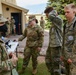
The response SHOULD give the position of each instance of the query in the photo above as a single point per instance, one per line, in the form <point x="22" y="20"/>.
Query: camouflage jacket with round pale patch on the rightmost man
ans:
<point x="70" y="39"/>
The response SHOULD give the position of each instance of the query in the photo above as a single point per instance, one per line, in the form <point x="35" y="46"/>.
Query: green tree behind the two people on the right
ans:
<point x="59" y="5"/>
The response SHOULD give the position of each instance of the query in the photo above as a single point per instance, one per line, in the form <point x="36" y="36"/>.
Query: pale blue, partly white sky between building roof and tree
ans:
<point x="33" y="6"/>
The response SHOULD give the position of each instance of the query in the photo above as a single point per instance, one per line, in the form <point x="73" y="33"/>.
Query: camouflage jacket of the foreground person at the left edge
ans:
<point x="3" y="58"/>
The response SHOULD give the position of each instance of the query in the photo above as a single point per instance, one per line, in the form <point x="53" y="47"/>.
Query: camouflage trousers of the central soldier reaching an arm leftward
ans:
<point x="30" y="52"/>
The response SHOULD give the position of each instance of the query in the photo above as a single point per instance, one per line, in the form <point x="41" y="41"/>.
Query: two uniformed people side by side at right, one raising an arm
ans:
<point x="62" y="44"/>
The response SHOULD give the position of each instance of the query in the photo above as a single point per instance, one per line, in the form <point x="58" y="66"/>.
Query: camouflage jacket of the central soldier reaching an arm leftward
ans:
<point x="34" y="36"/>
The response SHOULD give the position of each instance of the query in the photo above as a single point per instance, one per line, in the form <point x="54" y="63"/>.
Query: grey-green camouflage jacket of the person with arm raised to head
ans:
<point x="55" y="38"/>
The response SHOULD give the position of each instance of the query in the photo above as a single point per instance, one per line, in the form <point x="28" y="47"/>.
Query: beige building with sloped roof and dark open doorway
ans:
<point x="9" y="8"/>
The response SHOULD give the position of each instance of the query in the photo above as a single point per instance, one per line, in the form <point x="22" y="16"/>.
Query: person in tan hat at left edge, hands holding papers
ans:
<point x="8" y="61"/>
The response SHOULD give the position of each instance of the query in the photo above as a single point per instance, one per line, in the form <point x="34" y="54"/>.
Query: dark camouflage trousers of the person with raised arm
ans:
<point x="53" y="60"/>
